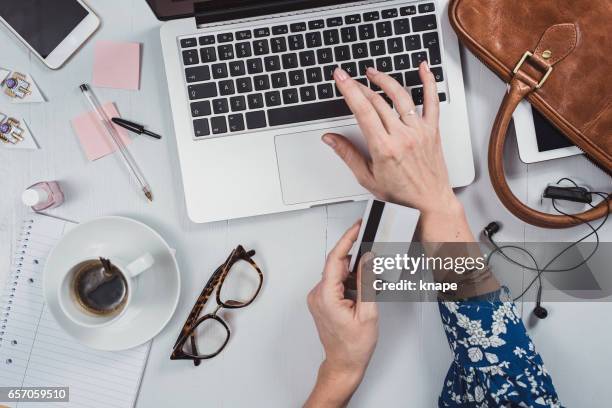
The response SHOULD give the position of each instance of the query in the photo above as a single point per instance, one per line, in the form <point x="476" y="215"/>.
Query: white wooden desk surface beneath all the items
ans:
<point x="274" y="352"/>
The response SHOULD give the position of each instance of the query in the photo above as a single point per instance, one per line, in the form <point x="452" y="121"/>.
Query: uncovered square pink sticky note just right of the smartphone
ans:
<point x="117" y="65"/>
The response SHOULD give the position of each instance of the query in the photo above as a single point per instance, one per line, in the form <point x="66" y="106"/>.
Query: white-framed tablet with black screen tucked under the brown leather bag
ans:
<point x="538" y="140"/>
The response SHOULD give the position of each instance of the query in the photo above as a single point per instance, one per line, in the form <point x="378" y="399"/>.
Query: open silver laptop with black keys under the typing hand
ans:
<point x="251" y="94"/>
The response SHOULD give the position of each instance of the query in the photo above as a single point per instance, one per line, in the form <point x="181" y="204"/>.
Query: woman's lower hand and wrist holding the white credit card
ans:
<point x="348" y="329"/>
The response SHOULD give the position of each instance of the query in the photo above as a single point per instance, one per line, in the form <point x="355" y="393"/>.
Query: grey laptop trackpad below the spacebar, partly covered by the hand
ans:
<point x="311" y="171"/>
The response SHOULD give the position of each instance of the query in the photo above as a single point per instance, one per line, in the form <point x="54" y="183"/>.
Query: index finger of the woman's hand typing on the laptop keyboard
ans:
<point x="364" y="112"/>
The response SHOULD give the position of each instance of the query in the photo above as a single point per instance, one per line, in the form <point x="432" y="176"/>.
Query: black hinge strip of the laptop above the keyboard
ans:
<point x="215" y="11"/>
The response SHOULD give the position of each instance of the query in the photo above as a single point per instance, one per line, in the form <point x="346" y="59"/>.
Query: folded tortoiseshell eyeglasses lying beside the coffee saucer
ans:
<point x="237" y="283"/>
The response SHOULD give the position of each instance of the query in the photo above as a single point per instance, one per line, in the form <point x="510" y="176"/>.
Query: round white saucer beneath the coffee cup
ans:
<point x="157" y="290"/>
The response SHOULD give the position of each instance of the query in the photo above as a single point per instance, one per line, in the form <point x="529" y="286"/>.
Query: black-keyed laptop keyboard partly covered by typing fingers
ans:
<point x="279" y="75"/>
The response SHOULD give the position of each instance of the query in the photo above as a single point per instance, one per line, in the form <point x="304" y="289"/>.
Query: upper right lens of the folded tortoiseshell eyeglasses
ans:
<point x="240" y="285"/>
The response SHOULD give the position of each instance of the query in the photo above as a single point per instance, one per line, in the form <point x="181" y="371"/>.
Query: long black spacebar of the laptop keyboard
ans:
<point x="308" y="112"/>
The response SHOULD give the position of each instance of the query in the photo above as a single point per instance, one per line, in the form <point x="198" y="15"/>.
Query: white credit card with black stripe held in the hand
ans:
<point x="385" y="222"/>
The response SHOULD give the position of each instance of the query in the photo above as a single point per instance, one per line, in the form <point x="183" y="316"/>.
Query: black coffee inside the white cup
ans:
<point x="99" y="291"/>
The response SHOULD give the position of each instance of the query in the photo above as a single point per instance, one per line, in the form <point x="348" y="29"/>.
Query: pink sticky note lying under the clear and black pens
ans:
<point x="93" y="137"/>
